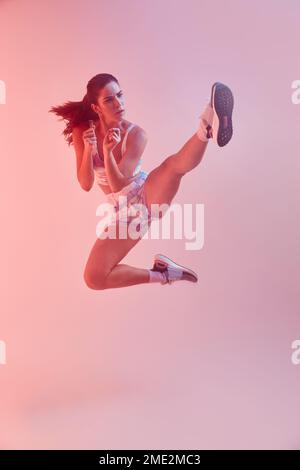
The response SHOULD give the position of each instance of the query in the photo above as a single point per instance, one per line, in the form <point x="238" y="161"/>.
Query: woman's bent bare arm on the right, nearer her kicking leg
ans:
<point x="119" y="175"/>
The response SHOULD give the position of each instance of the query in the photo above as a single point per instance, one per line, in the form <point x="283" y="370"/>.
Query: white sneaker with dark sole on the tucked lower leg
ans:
<point x="173" y="271"/>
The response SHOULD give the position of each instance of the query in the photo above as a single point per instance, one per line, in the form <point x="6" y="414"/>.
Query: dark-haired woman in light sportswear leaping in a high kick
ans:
<point x="109" y="148"/>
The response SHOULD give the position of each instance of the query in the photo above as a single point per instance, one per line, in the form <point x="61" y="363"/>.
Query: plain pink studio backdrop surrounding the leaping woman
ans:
<point x="150" y="366"/>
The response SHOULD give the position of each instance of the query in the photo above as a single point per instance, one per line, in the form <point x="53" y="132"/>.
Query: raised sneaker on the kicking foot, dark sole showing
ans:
<point x="222" y="102"/>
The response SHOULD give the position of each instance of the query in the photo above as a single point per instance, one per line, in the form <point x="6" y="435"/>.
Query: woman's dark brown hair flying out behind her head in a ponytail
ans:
<point x="77" y="112"/>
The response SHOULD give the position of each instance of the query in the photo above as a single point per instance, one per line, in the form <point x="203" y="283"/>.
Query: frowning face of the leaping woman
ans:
<point x="110" y="101"/>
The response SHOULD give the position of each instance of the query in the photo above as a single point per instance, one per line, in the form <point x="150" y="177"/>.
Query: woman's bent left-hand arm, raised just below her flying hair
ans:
<point x="84" y="159"/>
